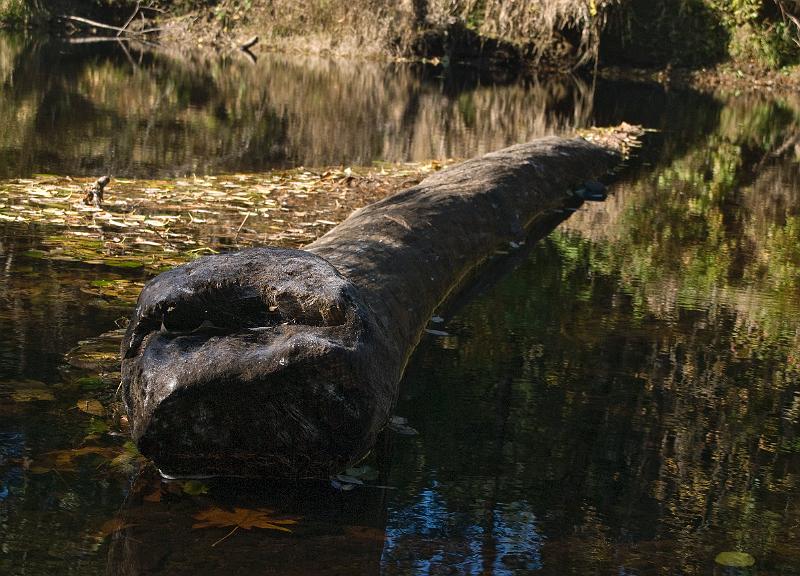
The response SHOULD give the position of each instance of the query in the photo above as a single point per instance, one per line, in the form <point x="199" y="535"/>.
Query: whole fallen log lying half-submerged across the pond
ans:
<point x="282" y="362"/>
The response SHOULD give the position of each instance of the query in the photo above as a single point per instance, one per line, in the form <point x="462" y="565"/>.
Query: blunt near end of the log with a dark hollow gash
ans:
<point x="261" y="362"/>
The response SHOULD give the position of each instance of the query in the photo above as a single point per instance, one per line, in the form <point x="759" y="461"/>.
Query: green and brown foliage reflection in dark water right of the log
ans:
<point x="634" y="384"/>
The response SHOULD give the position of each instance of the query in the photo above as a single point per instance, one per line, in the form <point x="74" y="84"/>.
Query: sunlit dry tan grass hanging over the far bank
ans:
<point x="378" y="27"/>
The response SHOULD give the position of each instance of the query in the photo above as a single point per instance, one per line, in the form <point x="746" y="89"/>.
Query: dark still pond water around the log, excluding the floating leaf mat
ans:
<point x="622" y="397"/>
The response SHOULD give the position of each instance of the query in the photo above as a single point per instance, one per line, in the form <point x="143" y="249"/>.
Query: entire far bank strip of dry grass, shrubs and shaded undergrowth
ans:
<point x="741" y="44"/>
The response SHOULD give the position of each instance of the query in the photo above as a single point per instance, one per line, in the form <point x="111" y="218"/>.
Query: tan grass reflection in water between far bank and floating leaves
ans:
<point x="77" y="109"/>
